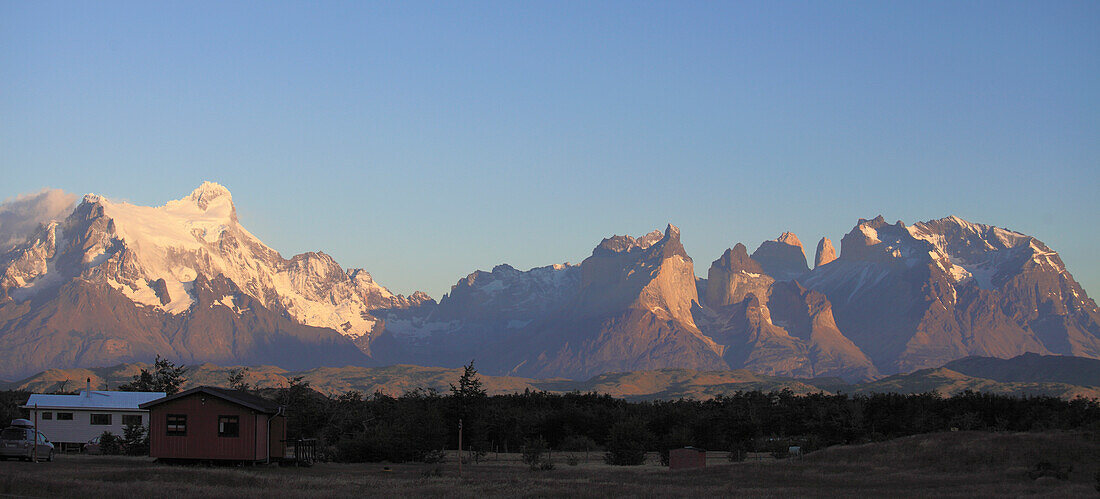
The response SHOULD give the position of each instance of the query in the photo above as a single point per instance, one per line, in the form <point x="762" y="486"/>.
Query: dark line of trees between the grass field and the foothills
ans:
<point x="420" y="425"/>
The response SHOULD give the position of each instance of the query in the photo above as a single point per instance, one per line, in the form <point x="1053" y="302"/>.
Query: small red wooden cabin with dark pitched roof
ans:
<point x="211" y="424"/>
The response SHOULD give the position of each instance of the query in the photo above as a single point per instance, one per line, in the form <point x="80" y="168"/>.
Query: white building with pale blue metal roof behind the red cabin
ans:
<point x="75" y="419"/>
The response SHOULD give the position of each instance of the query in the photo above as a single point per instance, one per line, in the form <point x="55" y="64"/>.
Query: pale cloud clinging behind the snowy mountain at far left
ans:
<point x="23" y="215"/>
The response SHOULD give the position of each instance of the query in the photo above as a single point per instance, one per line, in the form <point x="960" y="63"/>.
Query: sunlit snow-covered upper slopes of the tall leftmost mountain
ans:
<point x="155" y="254"/>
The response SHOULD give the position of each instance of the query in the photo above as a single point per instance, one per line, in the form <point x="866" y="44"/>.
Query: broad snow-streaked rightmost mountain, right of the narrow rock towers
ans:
<point x="916" y="297"/>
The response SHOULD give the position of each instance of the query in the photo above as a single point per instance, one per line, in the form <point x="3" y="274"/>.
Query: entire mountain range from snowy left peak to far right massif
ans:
<point x="115" y="283"/>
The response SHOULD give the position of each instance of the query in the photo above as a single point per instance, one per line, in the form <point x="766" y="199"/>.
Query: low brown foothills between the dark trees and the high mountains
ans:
<point x="666" y="384"/>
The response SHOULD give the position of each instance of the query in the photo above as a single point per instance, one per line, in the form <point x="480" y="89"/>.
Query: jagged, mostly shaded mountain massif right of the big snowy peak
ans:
<point x="898" y="298"/>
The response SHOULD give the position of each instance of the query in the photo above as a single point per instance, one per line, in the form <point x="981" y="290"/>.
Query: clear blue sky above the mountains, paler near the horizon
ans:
<point x="423" y="141"/>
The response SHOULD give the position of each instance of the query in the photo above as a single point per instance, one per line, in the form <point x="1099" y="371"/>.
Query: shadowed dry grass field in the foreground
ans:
<point x="961" y="464"/>
